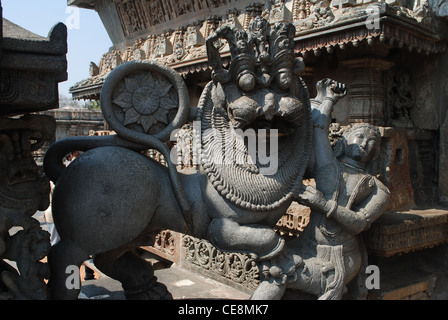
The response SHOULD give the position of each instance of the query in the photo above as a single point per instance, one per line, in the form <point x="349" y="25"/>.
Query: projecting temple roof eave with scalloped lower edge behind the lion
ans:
<point x="395" y="31"/>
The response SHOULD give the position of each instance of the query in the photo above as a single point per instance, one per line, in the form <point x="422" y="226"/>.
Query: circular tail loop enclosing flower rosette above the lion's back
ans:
<point x="144" y="98"/>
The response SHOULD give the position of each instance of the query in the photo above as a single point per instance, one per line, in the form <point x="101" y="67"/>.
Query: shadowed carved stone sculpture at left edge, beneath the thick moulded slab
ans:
<point x="22" y="192"/>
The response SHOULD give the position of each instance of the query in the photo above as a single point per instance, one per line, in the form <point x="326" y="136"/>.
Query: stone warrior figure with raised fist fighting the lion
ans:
<point x="346" y="201"/>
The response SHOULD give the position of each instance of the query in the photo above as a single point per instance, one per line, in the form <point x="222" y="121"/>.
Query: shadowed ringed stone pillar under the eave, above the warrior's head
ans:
<point x="367" y="90"/>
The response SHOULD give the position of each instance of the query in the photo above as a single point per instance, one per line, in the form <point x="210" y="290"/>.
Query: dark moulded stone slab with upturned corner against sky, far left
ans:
<point x="31" y="66"/>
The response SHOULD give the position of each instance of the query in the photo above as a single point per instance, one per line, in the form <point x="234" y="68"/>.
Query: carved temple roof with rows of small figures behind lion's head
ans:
<point x="320" y="25"/>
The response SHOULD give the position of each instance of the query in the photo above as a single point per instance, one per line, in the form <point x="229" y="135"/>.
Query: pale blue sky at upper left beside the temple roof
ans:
<point x="87" y="37"/>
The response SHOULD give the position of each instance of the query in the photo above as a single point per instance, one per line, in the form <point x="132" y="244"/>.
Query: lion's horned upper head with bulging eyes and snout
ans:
<point x="261" y="88"/>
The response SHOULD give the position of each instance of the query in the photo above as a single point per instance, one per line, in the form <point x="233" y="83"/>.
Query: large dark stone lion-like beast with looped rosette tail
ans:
<point x="110" y="199"/>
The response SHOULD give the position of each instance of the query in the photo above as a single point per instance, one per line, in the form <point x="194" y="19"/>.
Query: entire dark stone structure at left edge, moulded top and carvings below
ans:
<point x="31" y="67"/>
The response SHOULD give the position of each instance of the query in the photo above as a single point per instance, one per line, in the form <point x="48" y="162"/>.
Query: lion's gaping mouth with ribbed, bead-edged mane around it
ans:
<point x="249" y="173"/>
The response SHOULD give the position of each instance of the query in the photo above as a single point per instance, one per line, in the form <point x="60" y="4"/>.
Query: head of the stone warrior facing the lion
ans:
<point x="362" y="143"/>
